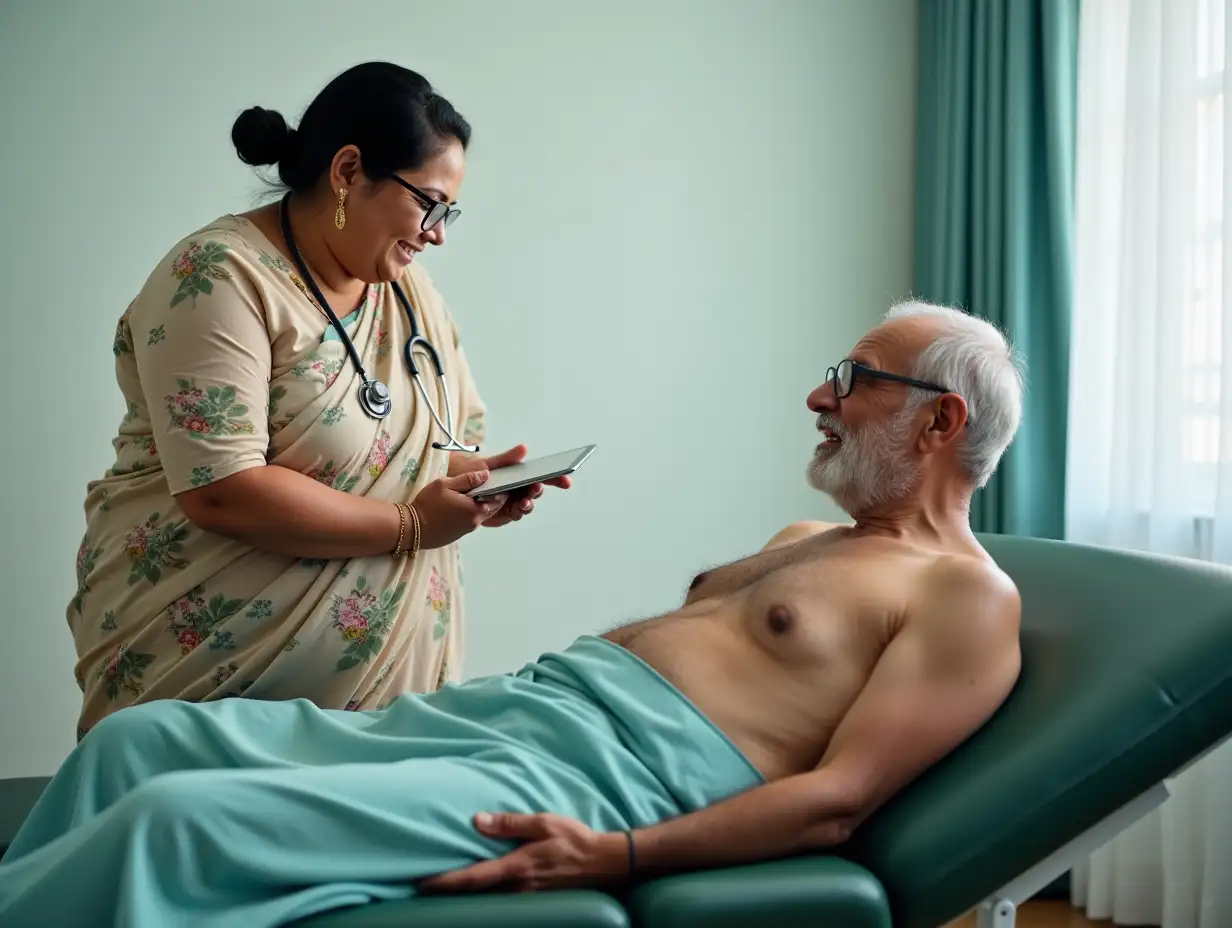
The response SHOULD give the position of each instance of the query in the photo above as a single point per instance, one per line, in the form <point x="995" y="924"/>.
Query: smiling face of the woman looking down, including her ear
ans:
<point x="384" y="230"/>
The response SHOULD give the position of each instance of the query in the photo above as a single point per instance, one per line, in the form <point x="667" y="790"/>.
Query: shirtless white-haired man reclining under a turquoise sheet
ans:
<point x="793" y="694"/>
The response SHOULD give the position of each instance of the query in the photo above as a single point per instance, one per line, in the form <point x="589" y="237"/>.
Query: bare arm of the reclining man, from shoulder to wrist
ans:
<point x="938" y="681"/>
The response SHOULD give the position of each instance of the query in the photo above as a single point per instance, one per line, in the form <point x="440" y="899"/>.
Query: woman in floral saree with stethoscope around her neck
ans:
<point x="283" y="516"/>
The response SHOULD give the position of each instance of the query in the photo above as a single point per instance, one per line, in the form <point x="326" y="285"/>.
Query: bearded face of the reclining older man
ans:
<point x="865" y="458"/>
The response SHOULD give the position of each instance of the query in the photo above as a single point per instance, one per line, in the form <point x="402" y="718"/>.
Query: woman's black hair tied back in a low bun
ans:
<point x="391" y="114"/>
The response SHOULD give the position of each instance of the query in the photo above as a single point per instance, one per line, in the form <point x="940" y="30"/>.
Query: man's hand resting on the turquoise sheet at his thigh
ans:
<point x="557" y="853"/>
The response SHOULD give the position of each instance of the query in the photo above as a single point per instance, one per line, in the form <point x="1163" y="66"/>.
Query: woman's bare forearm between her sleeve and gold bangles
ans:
<point x="275" y="510"/>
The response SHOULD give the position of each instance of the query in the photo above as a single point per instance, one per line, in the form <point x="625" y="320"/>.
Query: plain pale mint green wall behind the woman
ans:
<point x="677" y="215"/>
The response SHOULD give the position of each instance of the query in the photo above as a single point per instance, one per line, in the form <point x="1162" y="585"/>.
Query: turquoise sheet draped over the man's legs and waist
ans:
<point x="242" y="813"/>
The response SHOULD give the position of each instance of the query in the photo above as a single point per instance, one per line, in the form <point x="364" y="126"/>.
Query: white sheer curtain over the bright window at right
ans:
<point x="1151" y="384"/>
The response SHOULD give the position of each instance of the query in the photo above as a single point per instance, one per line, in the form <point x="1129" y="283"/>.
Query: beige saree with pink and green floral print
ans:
<point x="226" y="363"/>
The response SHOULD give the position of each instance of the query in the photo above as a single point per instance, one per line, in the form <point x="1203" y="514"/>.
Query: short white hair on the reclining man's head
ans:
<point x="973" y="358"/>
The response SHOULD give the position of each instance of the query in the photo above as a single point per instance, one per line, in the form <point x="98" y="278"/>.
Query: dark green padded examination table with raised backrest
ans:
<point x="1127" y="680"/>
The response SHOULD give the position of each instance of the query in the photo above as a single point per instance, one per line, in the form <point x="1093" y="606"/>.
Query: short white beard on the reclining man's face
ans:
<point x="870" y="466"/>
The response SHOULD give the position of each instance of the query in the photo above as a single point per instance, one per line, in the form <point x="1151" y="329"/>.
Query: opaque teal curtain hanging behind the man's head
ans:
<point x="995" y="214"/>
